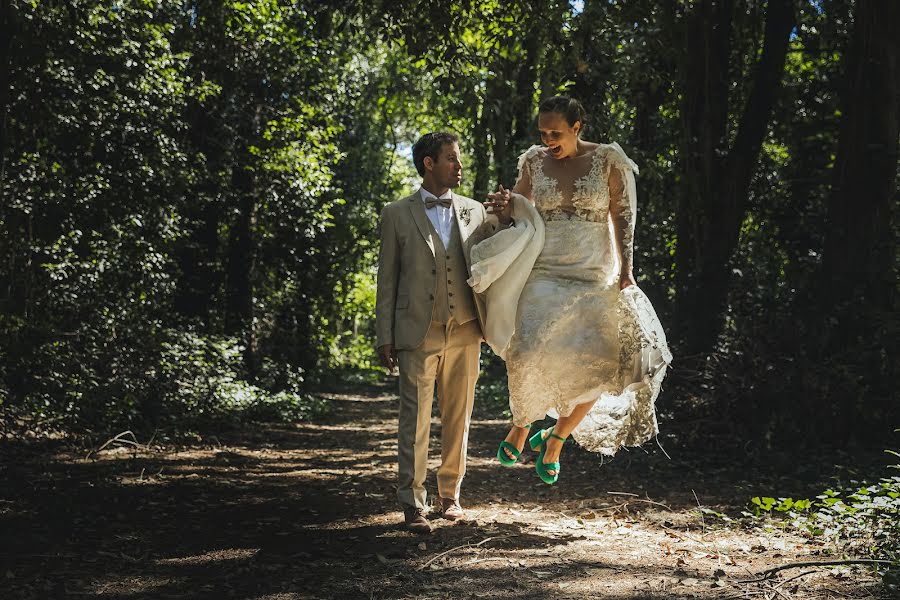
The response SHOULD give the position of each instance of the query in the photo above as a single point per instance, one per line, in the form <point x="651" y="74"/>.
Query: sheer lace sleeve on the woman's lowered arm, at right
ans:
<point x="622" y="204"/>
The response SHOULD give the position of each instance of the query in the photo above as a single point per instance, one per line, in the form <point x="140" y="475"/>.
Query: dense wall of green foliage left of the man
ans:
<point x="141" y="136"/>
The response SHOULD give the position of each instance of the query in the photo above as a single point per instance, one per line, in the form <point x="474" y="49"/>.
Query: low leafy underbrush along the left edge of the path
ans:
<point x="184" y="382"/>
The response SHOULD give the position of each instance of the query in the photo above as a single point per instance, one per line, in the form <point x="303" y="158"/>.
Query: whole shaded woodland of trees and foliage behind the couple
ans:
<point x="191" y="190"/>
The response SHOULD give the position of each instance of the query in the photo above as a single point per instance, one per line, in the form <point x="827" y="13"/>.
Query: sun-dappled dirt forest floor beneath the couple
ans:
<point x="308" y="511"/>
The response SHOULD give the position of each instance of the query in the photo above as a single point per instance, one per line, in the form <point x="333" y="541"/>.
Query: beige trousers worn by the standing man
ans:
<point x="449" y="360"/>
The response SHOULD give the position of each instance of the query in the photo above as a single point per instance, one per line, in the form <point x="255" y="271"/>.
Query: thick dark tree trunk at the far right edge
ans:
<point x="859" y="254"/>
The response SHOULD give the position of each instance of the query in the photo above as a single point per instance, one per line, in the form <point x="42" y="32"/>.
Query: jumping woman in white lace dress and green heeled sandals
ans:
<point x="587" y="346"/>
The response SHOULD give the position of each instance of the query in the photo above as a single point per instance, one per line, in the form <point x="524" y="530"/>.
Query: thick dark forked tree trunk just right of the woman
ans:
<point x="717" y="180"/>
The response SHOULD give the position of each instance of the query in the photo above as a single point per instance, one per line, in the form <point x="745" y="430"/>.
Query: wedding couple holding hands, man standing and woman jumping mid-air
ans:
<point x="543" y="273"/>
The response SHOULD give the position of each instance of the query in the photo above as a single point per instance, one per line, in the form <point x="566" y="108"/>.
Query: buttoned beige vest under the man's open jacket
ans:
<point x="452" y="295"/>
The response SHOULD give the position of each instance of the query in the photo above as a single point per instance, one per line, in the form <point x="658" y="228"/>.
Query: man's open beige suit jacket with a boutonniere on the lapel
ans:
<point x="406" y="267"/>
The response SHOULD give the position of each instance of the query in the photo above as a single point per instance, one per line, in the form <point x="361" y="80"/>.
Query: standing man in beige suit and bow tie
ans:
<point x="427" y="321"/>
